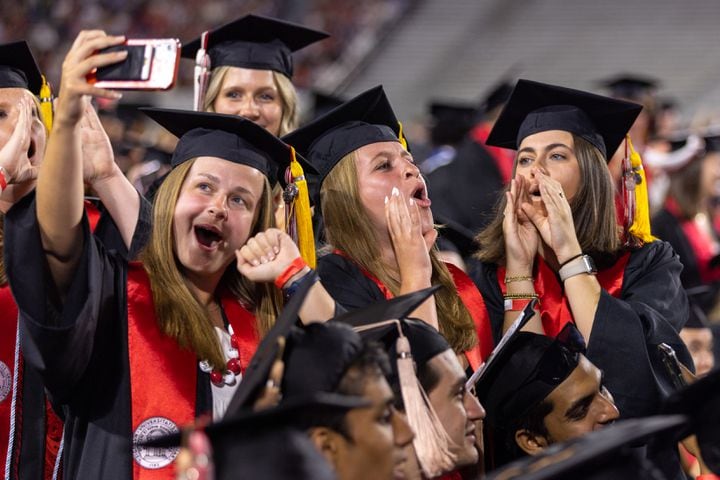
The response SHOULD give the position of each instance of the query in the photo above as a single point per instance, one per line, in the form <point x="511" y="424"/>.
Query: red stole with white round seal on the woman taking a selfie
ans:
<point x="163" y="376"/>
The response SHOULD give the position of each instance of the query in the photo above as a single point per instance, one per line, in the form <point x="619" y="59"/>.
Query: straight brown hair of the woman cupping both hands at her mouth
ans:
<point x="593" y="209"/>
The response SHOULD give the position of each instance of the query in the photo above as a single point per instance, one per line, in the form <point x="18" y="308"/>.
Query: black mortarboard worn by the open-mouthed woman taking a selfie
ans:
<point x="230" y="137"/>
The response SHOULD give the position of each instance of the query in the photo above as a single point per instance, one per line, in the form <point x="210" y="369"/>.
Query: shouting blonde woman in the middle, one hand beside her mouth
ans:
<point x="377" y="218"/>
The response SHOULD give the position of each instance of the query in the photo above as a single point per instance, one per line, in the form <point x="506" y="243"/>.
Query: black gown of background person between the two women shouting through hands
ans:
<point x="467" y="189"/>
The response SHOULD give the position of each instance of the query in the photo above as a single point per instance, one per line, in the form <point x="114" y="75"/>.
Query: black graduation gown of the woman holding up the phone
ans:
<point x="80" y="350"/>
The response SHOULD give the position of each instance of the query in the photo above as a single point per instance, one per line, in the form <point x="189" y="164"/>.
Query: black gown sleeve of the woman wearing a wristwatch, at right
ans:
<point x="623" y="342"/>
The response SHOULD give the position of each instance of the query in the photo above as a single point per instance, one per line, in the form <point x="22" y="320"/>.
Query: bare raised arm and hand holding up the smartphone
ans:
<point x="60" y="184"/>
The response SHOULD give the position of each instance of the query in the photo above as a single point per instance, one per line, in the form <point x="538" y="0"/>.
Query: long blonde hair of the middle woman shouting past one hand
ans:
<point x="348" y="228"/>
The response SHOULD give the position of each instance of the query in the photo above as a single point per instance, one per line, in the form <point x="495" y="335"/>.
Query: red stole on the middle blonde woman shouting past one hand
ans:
<point x="470" y="297"/>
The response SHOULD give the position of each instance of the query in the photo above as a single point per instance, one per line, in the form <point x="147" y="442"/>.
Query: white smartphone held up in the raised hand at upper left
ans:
<point x="151" y="64"/>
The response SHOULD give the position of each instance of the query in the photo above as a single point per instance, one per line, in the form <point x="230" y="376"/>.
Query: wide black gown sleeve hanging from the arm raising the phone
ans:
<point x="58" y="340"/>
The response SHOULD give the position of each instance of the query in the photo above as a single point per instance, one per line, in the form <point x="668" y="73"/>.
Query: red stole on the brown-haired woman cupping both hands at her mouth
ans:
<point x="554" y="308"/>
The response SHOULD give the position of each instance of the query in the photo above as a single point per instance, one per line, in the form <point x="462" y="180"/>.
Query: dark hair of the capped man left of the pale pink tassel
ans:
<point x="370" y="363"/>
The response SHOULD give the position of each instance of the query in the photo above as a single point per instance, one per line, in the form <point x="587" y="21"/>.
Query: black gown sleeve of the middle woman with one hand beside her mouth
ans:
<point x="346" y="283"/>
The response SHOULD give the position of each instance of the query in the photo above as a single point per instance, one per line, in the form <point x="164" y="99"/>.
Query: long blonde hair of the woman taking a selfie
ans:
<point x="179" y="313"/>
